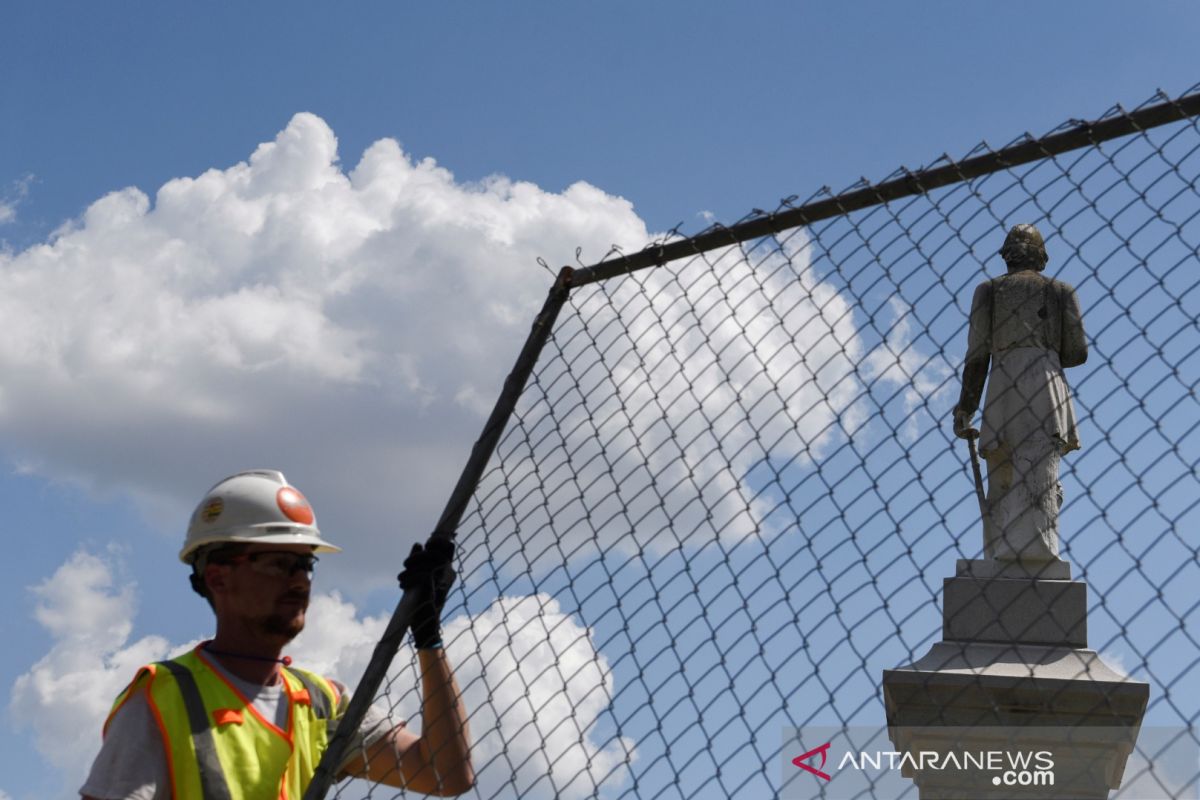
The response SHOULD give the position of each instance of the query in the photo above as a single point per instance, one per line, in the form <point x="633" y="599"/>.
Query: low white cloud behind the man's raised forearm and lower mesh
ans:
<point x="532" y="679"/>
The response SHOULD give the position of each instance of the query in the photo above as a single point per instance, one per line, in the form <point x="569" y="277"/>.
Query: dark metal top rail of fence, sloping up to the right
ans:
<point x="1078" y="135"/>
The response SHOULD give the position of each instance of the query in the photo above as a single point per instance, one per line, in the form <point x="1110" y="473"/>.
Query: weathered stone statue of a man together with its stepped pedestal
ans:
<point x="1013" y="666"/>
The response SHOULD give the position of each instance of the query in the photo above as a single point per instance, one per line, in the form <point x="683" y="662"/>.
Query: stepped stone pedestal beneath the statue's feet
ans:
<point x="1013" y="675"/>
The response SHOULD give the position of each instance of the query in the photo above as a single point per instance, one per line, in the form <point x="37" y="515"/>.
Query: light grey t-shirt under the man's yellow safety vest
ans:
<point x="133" y="765"/>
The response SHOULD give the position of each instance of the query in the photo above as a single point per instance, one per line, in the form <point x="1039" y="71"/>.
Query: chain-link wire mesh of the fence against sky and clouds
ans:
<point x="730" y="492"/>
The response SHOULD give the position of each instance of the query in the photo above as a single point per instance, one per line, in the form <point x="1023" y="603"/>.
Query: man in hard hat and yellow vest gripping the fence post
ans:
<point x="233" y="720"/>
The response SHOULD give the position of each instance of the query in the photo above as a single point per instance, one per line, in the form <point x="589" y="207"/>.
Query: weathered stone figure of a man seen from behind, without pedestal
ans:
<point x="1029" y="328"/>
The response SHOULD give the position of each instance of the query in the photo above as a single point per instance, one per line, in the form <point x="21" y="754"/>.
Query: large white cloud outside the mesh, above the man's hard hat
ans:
<point x="349" y="327"/>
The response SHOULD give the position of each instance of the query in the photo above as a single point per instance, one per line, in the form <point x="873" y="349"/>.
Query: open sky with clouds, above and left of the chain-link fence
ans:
<point x="668" y="113"/>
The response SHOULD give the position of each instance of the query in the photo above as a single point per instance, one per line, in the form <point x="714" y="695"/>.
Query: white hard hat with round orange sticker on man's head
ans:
<point x="256" y="507"/>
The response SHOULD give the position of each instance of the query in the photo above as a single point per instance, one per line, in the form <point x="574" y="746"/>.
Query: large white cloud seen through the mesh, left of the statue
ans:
<point x="685" y="381"/>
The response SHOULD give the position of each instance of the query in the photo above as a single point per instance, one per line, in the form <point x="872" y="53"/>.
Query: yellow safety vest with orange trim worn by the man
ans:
<point x="219" y="747"/>
